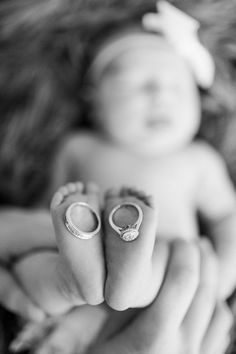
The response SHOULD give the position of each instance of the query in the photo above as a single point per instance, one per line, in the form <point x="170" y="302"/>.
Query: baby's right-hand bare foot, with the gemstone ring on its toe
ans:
<point x="129" y="264"/>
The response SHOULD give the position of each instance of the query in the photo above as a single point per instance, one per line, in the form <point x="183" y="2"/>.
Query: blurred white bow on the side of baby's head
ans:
<point x="181" y="30"/>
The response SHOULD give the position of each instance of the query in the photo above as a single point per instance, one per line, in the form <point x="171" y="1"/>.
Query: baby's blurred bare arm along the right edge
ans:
<point x="217" y="206"/>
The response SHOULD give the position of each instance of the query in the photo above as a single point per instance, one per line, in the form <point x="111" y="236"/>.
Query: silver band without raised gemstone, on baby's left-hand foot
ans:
<point x="73" y="229"/>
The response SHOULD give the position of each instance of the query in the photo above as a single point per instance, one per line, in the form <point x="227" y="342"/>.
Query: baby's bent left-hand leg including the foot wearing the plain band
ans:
<point x="58" y="282"/>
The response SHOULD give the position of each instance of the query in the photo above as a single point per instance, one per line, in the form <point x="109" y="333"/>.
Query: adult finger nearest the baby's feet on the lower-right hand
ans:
<point x="152" y="329"/>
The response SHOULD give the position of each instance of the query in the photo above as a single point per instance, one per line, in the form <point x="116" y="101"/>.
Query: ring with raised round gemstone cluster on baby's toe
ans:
<point x="131" y="231"/>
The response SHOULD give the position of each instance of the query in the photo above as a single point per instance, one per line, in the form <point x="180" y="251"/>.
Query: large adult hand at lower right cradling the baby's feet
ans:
<point x="184" y="318"/>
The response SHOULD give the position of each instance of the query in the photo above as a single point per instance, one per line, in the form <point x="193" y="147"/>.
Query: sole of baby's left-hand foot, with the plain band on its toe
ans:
<point x="82" y="257"/>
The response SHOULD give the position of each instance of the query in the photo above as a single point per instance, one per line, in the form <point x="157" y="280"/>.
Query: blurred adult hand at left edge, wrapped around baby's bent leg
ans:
<point x="21" y="232"/>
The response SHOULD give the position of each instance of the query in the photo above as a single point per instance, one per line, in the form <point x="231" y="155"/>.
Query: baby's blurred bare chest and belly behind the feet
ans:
<point x="172" y="183"/>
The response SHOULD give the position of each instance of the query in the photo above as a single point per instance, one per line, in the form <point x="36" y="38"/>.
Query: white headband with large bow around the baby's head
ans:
<point x="178" y="28"/>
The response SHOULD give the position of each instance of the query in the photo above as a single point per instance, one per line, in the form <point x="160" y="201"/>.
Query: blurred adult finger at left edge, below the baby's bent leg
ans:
<point x="14" y="299"/>
